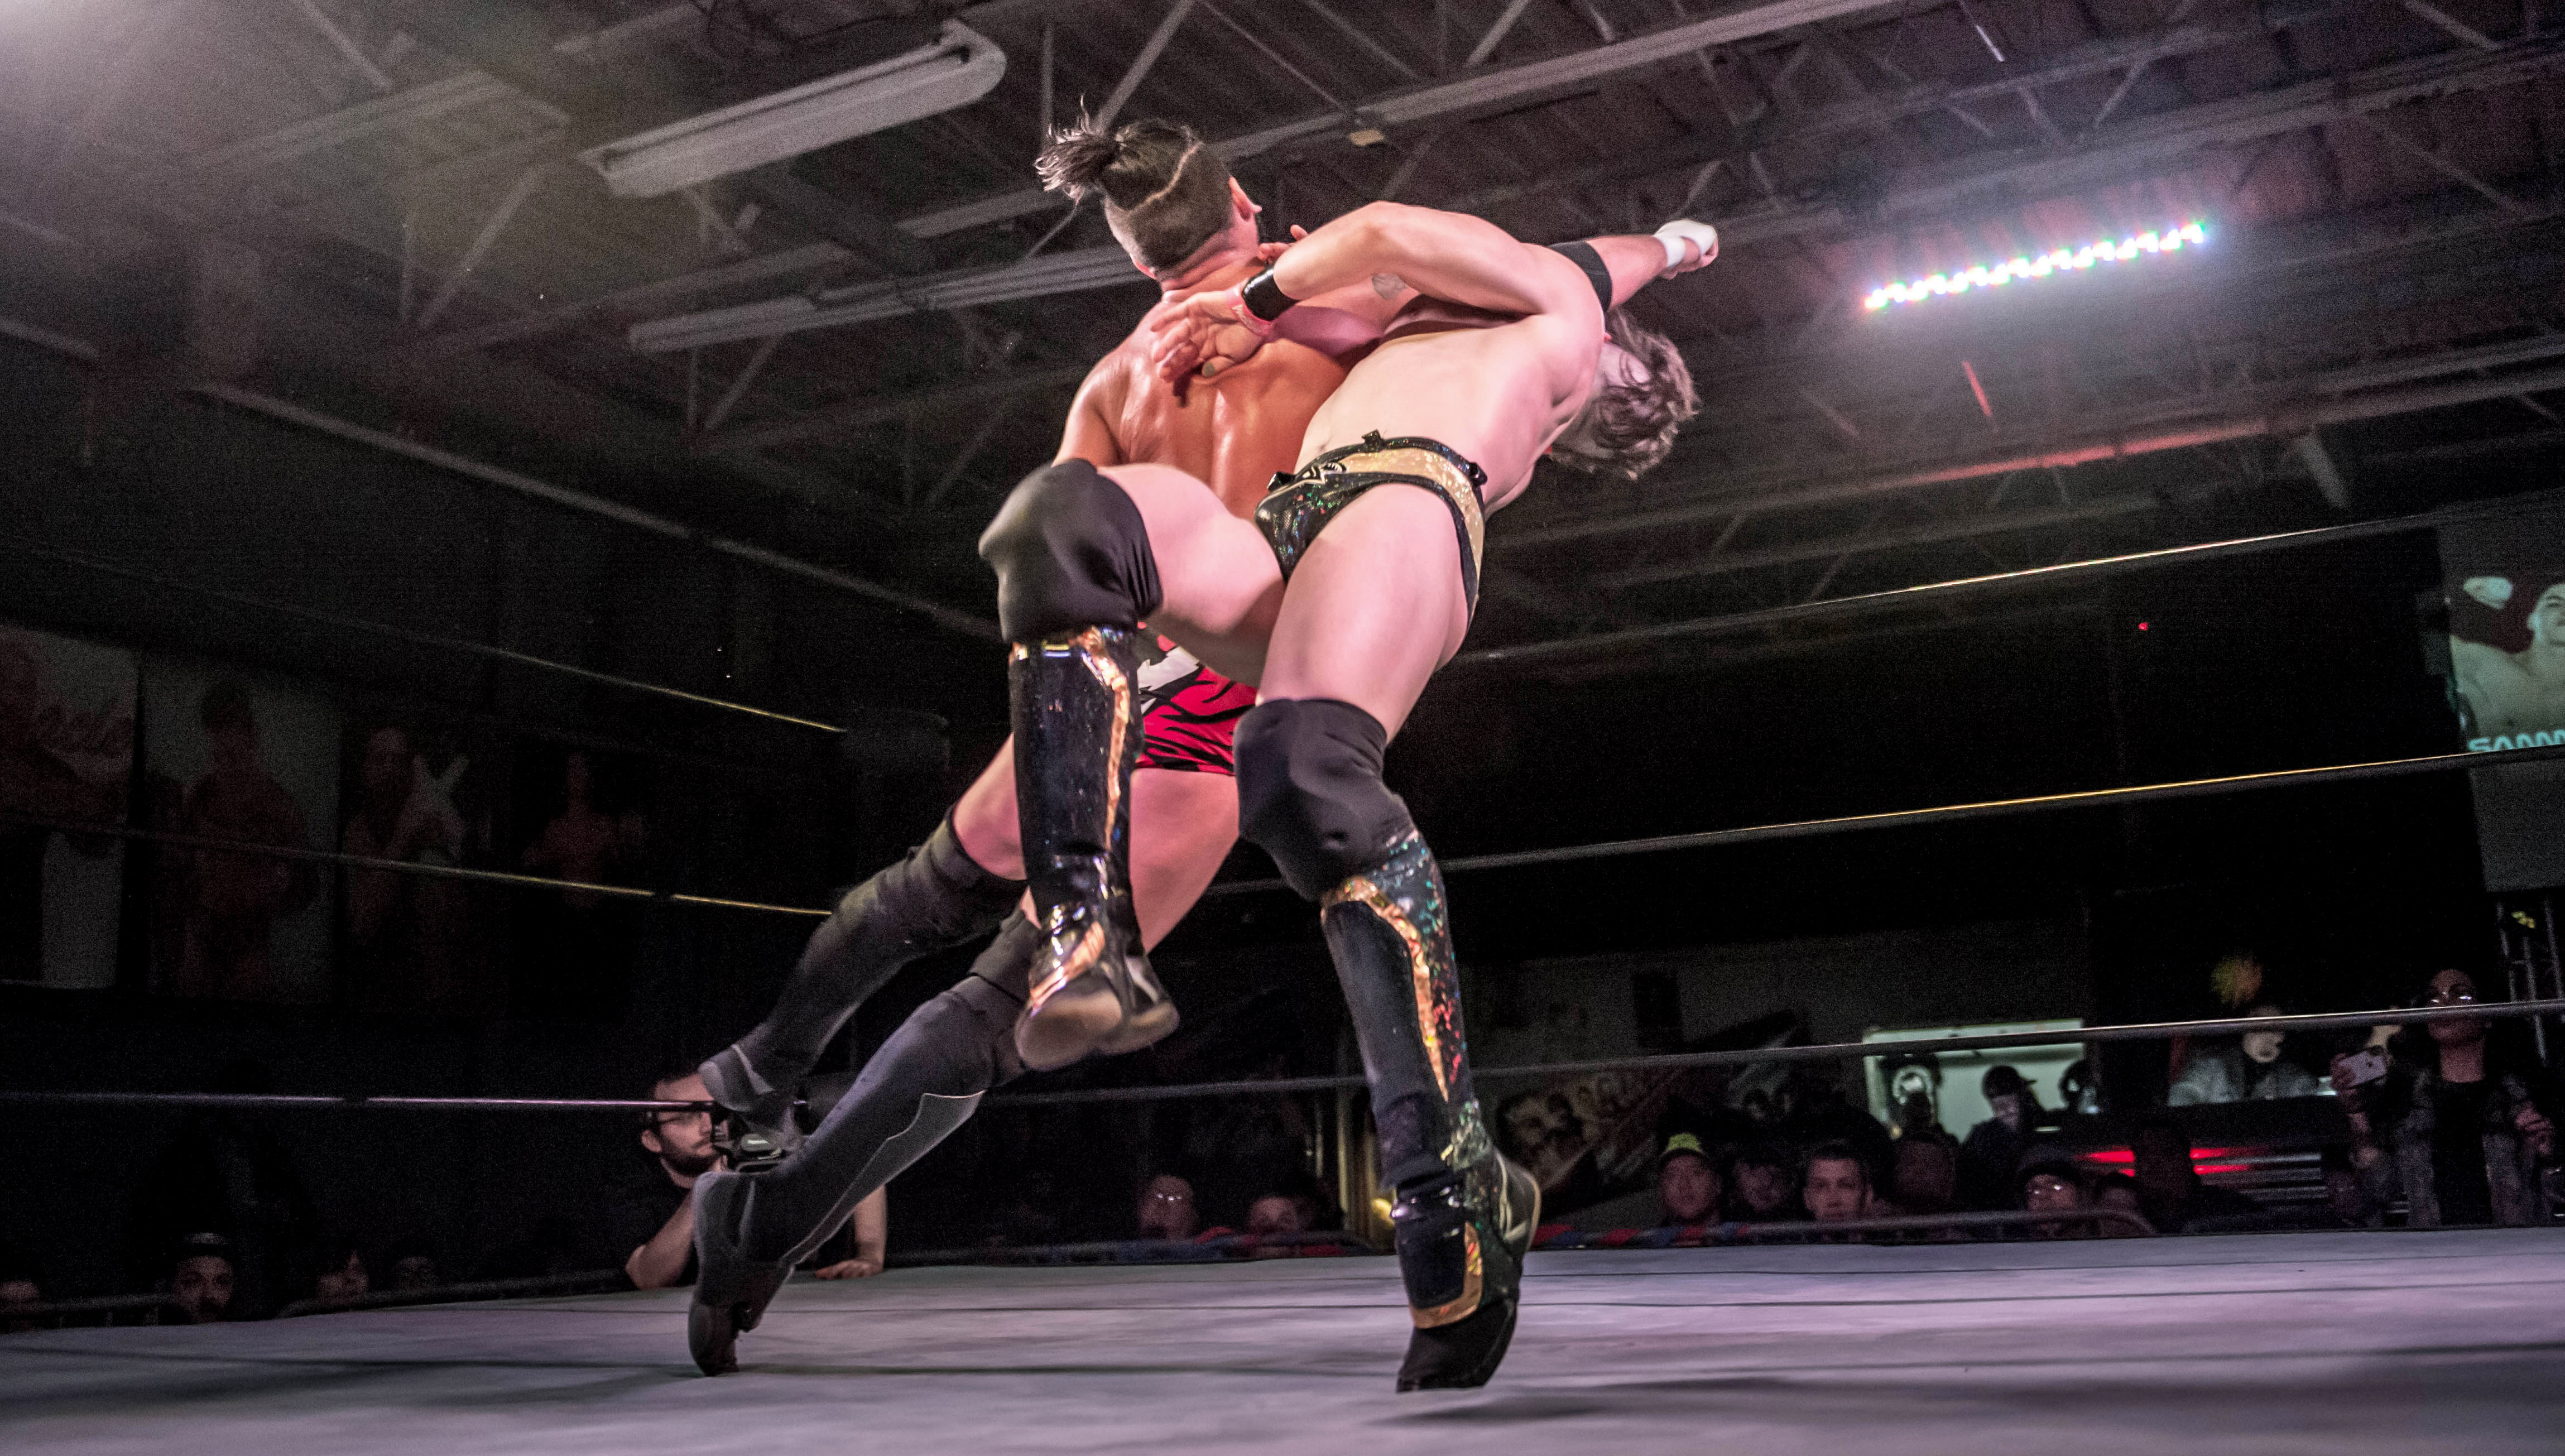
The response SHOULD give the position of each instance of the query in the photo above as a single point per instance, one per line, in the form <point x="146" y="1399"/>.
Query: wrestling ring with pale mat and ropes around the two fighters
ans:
<point x="2361" y="1342"/>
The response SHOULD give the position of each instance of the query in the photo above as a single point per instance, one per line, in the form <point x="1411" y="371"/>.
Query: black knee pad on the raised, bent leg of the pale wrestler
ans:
<point x="1071" y="552"/>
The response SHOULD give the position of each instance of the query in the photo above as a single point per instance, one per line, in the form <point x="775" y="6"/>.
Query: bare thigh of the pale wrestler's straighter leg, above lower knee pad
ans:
<point x="1374" y="606"/>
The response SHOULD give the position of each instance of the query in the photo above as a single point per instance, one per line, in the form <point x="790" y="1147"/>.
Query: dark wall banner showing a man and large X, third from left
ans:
<point x="422" y="793"/>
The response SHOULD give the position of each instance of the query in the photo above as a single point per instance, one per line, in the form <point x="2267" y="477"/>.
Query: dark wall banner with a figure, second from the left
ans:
<point x="240" y="760"/>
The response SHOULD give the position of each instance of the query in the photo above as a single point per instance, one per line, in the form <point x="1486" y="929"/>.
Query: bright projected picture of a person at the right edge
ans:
<point x="2507" y="632"/>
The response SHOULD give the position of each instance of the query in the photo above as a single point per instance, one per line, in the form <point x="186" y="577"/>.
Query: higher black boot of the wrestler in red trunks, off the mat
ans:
<point x="930" y="901"/>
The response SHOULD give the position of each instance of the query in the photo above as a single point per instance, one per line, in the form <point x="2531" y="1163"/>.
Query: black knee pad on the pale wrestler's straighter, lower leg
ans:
<point x="1312" y="796"/>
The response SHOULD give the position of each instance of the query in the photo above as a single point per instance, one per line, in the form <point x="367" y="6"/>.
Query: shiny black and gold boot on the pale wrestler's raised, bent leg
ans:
<point x="1076" y="714"/>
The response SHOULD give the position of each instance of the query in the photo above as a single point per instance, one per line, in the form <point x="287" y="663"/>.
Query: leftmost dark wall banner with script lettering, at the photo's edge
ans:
<point x="65" y="757"/>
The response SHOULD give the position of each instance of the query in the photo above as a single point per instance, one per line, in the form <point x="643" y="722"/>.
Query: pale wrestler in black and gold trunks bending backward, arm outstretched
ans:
<point x="1340" y="604"/>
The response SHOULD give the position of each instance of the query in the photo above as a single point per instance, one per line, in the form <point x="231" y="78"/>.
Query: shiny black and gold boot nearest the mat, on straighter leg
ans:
<point x="1463" y="1216"/>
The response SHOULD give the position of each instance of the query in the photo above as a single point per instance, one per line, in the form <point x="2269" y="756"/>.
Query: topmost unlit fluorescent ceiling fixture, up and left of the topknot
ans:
<point x="953" y="73"/>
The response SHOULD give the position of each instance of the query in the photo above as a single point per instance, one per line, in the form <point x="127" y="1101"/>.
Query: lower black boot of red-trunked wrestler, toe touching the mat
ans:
<point x="925" y="1083"/>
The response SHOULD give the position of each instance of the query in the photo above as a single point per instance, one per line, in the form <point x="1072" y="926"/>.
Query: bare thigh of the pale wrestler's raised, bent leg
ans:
<point x="1217" y="573"/>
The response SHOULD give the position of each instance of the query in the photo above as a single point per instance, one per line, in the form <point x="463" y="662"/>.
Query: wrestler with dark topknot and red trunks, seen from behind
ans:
<point x="1189" y="227"/>
